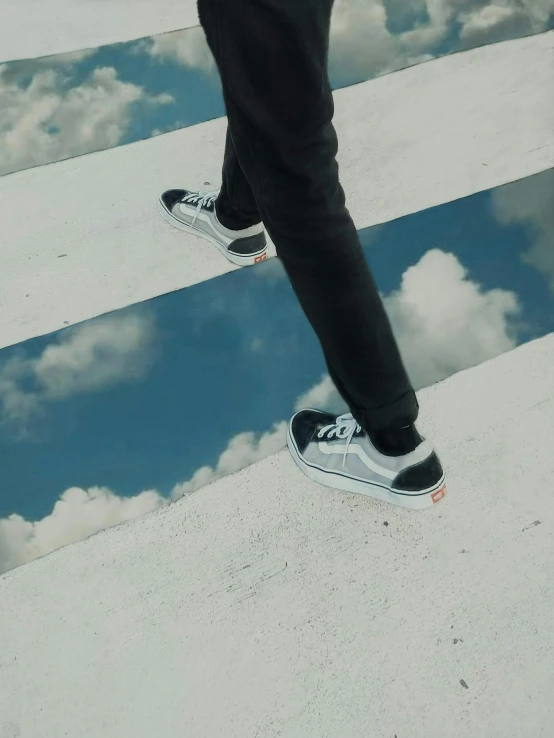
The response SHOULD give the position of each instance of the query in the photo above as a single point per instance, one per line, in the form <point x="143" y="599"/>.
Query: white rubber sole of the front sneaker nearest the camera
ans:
<point x="411" y="500"/>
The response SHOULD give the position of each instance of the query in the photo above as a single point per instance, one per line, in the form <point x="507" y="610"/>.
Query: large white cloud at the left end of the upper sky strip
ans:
<point x="49" y="120"/>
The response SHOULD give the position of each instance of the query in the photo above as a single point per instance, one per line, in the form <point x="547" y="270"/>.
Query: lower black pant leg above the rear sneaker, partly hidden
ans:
<point x="236" y="205"/>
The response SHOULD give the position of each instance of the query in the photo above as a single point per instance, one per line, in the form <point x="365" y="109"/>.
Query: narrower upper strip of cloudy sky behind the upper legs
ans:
<point x="62" y="106"/>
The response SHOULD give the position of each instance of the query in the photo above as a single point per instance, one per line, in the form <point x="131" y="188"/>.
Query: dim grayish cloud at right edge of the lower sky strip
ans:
<point x="531" y="202"/>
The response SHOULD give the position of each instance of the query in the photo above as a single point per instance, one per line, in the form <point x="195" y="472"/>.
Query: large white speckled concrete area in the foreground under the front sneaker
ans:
<point x="265" y="605"/>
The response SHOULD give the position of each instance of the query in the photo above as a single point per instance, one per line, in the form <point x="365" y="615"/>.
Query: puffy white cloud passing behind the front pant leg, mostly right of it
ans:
<point x="443" y="321"/>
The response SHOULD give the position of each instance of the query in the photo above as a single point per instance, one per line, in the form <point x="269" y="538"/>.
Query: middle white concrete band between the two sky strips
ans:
<point x="408" y="141"/>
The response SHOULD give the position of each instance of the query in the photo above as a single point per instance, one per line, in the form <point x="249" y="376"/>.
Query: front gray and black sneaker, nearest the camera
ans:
<point x="338" y="453"/>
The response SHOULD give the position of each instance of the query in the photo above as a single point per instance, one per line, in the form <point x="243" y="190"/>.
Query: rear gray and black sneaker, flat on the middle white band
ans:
<point x="194" y="212"/>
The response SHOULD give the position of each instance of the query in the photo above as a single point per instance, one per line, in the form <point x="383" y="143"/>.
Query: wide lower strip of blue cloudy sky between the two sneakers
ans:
<point x="170" y="394"/>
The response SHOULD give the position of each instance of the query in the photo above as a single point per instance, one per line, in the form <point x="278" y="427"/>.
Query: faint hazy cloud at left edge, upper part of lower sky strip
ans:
<point x="89" y="357"/>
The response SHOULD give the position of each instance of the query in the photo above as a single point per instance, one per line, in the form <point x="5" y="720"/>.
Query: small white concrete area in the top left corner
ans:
<point x="33" y="28"/>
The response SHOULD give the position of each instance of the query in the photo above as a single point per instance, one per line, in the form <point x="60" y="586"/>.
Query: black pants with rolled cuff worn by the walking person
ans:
<point x="280" y="167"/>
